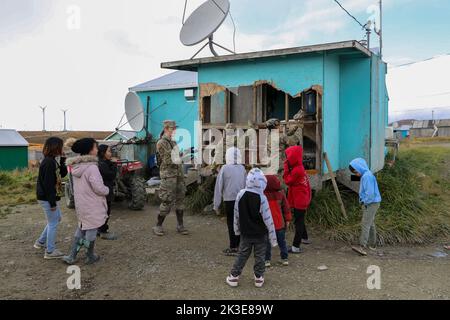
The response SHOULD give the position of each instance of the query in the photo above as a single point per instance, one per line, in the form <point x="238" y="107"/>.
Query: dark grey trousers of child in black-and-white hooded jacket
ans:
<point x="247" y="244"/>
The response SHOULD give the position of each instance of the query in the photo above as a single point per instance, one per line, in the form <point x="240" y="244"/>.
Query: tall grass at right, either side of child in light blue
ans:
<point x="416" y="201"/>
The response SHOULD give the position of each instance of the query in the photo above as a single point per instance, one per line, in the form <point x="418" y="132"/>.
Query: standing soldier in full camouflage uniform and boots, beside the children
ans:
<point x="172" y="189"/>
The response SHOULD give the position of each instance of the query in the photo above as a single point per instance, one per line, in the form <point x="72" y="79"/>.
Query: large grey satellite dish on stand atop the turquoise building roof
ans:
<point x="202" y="24"/>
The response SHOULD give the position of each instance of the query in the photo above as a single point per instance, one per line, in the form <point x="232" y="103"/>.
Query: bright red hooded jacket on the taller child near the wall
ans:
<point x="295" y="177"/>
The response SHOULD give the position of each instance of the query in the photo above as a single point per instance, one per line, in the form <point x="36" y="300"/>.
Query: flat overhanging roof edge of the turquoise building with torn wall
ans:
<point x="194" y="63"/>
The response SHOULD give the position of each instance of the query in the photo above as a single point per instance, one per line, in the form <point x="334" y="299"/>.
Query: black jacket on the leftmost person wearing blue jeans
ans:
<point x="49" y="187"/>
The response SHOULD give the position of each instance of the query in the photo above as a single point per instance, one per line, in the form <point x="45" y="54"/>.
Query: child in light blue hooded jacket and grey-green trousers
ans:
<point x="370" y="197"/>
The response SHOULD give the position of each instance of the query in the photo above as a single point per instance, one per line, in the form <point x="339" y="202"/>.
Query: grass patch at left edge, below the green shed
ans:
<point x="16" y="188"/>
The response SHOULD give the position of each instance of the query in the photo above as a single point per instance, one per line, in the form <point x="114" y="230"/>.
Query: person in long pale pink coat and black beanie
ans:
<point x="90" y="198"/>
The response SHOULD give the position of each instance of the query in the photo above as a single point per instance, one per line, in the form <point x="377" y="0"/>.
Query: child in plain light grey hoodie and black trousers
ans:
<point x="230" y="181"/>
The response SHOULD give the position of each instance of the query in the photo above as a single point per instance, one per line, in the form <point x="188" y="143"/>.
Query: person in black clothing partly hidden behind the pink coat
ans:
<point x="108" y="171"/>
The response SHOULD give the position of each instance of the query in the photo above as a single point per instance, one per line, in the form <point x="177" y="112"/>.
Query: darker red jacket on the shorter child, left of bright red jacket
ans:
<point x="279" y="206"/>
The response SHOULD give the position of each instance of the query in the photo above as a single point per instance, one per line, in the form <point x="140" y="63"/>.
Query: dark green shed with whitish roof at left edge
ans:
<point x="13" y="150"/>
